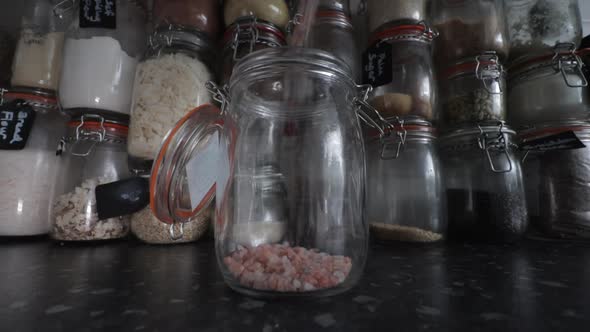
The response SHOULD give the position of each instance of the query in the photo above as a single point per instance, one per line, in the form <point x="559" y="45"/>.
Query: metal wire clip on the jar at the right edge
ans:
<point x="567" y="61"/>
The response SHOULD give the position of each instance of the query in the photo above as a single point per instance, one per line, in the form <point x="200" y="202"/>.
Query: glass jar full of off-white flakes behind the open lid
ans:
<point x="169" y="82"/>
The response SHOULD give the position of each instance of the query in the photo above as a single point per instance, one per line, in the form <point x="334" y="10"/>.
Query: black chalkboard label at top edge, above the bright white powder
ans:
<point x="98" y="14"/>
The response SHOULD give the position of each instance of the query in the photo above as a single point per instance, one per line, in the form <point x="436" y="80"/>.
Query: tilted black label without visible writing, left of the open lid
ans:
<point x="121" y="198"/>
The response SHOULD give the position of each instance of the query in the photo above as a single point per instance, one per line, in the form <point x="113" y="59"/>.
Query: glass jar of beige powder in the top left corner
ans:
<point x="38" y="58"/>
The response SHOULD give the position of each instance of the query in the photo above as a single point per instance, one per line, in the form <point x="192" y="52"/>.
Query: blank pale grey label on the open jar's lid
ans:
<point x="201" y="171"/>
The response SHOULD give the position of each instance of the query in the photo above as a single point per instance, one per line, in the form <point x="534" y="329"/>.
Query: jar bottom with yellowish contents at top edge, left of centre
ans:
<point x="272" y="11"/>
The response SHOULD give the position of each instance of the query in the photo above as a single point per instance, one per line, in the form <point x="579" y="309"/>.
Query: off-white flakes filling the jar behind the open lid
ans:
<point x="166" y="88"/>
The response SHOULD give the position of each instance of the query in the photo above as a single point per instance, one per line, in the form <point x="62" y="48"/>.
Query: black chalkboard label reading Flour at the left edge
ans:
<point x="16" y="122"/>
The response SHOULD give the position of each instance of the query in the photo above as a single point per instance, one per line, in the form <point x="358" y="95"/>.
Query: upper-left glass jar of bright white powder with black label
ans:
<point x="102" y="48"/>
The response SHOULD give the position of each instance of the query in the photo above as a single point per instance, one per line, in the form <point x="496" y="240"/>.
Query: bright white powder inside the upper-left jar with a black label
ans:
<point x="96" y="74"/>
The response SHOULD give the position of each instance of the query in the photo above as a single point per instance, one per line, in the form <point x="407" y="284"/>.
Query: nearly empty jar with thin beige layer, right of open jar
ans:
<point x="405" y="157"/>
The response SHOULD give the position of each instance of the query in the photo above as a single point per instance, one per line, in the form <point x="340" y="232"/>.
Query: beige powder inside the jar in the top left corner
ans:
<point x="37" y="62"/>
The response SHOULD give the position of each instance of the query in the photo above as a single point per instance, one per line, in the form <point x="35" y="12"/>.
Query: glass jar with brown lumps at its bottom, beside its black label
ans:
<point x="412" y="90"/>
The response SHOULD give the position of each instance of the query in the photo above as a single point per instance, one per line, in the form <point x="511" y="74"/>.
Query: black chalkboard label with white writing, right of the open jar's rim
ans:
<point x="377" y="65"/>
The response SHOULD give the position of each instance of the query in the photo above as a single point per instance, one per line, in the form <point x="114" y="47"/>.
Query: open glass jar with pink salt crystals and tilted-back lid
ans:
<point x="301" y="208"/>
